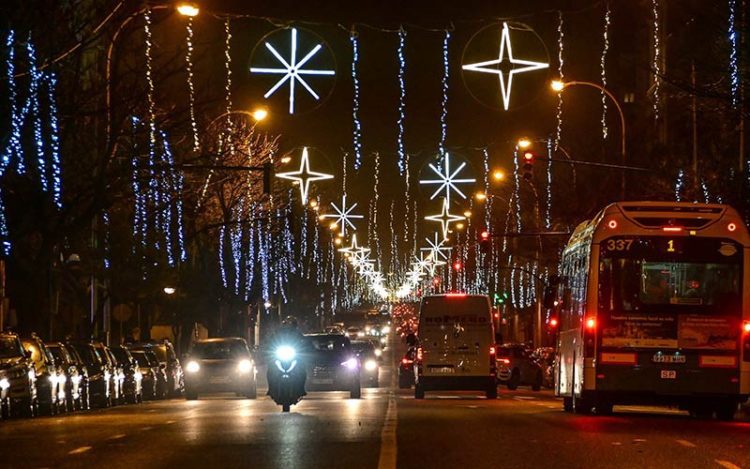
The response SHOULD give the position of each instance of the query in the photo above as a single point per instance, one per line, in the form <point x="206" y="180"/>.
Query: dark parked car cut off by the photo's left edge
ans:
<point x="17" y="378"/>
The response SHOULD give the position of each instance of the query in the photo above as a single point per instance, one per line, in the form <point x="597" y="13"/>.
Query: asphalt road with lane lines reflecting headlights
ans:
<point x="386" y="428"/>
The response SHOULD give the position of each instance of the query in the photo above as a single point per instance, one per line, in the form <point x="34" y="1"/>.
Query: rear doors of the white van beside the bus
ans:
<point x="455" y="333"/>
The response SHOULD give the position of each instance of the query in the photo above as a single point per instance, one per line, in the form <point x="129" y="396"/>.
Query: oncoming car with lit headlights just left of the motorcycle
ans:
<point x="220" y="365"/>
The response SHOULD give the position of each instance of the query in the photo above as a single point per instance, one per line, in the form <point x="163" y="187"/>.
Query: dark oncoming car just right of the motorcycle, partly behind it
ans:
<point x="332" y="364"/>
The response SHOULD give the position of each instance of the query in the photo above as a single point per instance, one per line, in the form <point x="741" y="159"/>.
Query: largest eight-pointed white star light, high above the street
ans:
<point x="292" y="70"/>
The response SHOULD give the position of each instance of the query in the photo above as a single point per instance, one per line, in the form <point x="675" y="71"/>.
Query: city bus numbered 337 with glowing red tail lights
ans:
<point x="654" y="309"/>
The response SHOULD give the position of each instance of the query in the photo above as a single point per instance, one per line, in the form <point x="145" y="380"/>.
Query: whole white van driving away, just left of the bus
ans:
<point x="456" y="345"/>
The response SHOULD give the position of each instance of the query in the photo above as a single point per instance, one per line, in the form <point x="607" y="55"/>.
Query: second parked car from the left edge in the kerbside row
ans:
<point x="49" y="382"/>
